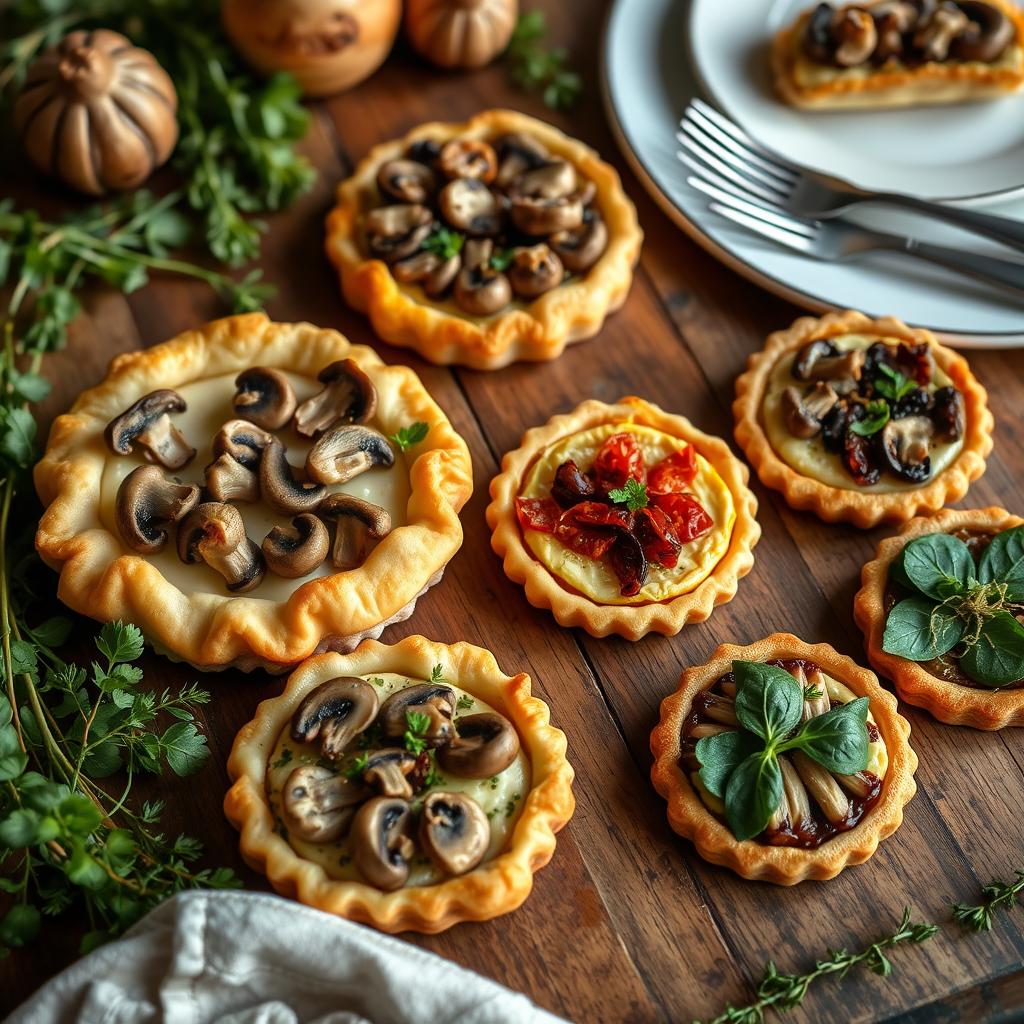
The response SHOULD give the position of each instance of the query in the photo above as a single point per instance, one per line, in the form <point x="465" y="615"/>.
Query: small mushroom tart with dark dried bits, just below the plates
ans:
<point x="863" y="421"/>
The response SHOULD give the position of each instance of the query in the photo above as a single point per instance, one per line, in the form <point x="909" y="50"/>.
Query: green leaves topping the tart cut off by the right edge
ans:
<point x="961" y="607"/>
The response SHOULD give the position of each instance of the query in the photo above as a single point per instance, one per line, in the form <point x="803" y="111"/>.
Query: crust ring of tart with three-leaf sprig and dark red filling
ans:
<point x="784" y="866"/>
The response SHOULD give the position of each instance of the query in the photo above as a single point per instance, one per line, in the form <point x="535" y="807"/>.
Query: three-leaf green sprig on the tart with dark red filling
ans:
<point x="742" y="767"/>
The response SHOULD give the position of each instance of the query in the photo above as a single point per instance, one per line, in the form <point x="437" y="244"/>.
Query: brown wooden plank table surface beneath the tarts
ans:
<point x="627" y="923"/>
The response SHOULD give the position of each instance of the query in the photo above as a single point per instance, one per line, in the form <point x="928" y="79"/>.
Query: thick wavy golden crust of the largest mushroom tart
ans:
<point x="102" y="578"/>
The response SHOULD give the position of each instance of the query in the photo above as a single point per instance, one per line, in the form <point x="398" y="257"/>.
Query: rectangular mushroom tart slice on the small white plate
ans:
<point x="901" y="54"/>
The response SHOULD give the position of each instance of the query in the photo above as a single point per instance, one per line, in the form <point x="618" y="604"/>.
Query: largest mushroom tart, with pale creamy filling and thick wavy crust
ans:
<point x="250" y="493"/>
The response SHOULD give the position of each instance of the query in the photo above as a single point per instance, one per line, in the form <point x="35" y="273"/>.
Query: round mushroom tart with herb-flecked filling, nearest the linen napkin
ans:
<point x="409" y="788"/>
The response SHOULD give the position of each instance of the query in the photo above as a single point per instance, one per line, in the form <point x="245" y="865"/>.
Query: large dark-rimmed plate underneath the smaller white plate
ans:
<point x="649" y="79"/>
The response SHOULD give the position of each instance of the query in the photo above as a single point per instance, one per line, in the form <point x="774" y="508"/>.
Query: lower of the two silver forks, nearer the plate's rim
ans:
<point x="838" y="241"/>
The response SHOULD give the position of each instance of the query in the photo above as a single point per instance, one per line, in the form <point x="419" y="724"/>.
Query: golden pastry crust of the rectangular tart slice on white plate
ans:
<point x="898" y="84"/>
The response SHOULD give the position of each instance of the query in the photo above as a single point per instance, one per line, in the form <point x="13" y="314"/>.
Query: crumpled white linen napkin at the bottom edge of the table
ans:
<point x="257" y="959"/>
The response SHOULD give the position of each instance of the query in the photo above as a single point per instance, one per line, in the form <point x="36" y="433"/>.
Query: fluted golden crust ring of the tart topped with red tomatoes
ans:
<point x="572" y="609"/>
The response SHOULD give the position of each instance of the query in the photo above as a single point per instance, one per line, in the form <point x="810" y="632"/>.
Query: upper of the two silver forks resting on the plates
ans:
<point x="711" y="140"/>
